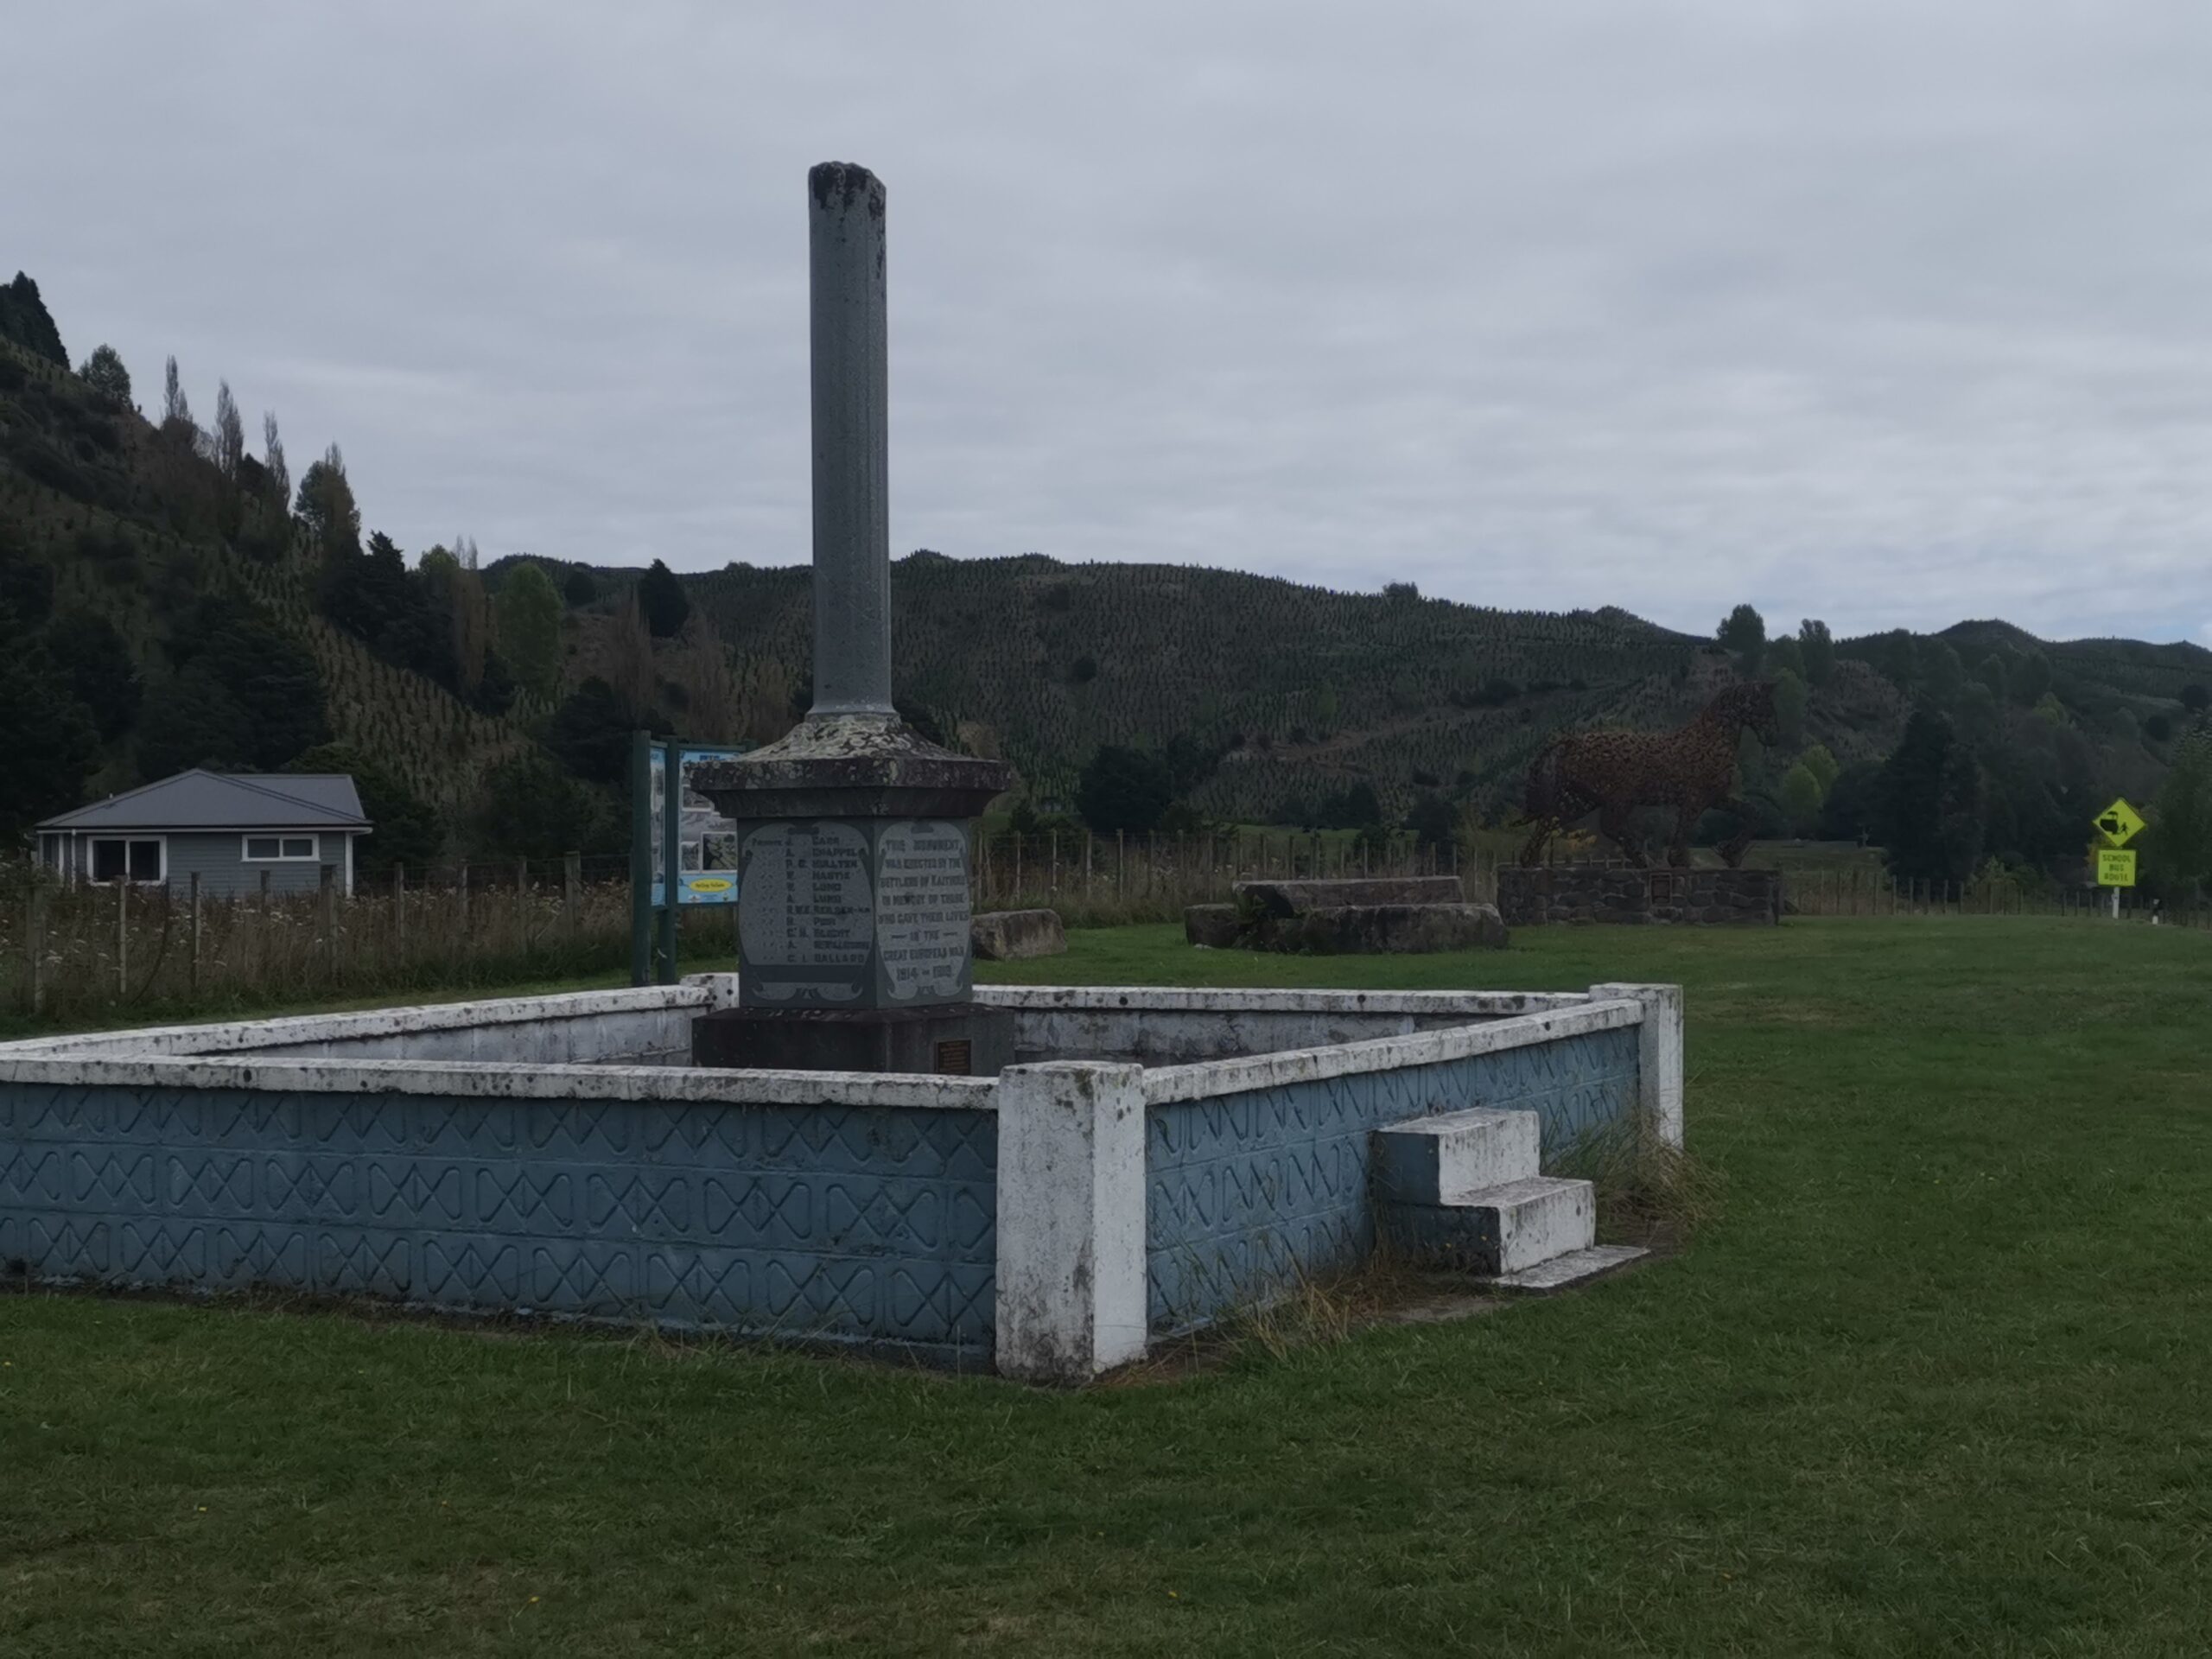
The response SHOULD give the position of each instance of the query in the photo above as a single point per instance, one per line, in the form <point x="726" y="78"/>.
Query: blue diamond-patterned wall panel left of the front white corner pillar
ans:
<point x="813" y="1222"/>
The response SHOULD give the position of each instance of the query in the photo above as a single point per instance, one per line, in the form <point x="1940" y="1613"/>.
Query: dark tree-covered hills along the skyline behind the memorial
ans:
<point x="176" y="596"/>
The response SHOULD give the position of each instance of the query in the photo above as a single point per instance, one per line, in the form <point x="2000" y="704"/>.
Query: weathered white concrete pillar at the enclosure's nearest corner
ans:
<point x="1072" y="1293"/>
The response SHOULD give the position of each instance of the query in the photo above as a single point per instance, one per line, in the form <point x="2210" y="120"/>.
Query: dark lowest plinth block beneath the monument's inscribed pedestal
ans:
<point x="948" y="1041"/>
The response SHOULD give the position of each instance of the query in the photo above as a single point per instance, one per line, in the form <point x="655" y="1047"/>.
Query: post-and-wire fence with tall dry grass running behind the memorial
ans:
<point x="98" y="954"/>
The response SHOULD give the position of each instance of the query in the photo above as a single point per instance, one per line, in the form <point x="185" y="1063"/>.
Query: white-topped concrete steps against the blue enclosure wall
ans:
<point x="1468" y="1191"/>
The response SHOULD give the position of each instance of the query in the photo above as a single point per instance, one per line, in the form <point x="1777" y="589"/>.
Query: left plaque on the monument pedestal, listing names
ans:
<point x="804" y="917"/>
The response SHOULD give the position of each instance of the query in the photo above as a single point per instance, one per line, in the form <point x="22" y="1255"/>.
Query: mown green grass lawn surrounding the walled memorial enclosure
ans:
<point x="1937" y="1381"/>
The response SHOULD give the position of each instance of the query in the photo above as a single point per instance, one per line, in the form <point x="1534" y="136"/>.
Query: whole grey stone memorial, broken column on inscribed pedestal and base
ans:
<point x="853" y="833"/>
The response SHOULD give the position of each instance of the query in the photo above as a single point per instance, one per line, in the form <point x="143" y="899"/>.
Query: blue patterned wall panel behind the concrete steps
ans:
<point x="1249" y="1193"/>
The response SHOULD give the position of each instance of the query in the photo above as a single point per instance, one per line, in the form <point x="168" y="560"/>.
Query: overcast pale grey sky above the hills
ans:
<point x="1879" y="313"/>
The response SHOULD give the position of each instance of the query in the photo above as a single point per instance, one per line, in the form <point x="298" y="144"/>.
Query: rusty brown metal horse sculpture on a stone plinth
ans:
<point x="1691" y="771"/>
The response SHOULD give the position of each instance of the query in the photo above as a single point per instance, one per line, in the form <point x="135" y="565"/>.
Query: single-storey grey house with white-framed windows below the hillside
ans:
<point x="229" y="828"/>
